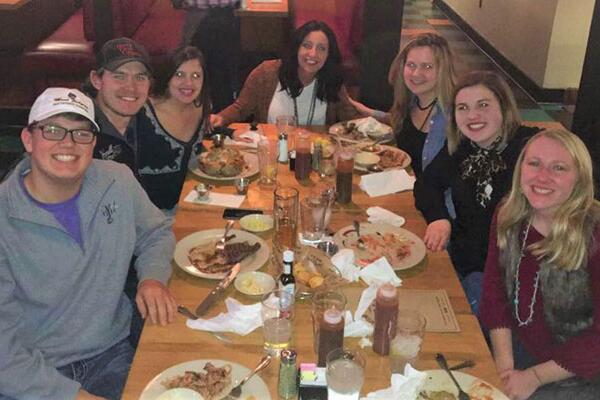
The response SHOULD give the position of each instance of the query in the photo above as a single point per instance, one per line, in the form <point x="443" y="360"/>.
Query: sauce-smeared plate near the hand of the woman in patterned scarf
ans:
<point x="403" y="249"/>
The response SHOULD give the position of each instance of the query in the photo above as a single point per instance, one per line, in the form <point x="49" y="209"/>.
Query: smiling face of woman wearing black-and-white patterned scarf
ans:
<point x="478" y="115"/>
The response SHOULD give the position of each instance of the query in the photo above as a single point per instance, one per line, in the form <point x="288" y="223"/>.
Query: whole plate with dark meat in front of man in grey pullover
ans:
<point x="197" y="254"/>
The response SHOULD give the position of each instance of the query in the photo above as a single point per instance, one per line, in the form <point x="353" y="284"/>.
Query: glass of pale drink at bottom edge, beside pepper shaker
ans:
<point x="345" y="374"/>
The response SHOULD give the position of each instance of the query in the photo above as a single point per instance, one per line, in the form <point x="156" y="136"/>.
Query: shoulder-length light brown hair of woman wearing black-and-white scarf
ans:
<point x="511" y="120"/>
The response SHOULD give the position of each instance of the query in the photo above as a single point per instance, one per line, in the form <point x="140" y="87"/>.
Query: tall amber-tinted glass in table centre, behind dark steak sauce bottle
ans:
<point x="285" y="215"/>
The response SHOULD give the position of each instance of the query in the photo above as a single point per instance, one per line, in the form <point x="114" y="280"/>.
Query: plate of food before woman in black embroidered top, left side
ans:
<point x="224" y="163"/>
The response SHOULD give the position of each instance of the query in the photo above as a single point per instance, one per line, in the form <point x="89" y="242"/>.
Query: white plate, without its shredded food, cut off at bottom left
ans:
<point x="254" y="387"/>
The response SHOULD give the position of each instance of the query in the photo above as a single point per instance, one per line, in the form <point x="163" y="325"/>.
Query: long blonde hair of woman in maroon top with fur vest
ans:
<point x="567" y="244"/>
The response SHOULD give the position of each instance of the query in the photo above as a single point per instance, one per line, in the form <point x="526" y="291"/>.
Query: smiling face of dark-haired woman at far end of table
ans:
<point x="312" y="55"/>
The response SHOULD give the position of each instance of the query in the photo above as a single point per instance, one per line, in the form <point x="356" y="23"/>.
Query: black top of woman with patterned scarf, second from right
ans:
<point x="470" y="230"/>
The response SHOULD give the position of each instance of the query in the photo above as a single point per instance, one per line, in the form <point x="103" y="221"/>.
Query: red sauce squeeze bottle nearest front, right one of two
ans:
<point x="386" y="314"/>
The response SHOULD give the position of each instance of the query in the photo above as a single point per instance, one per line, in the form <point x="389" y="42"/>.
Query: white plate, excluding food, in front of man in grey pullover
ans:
<point x="250" y="263"/>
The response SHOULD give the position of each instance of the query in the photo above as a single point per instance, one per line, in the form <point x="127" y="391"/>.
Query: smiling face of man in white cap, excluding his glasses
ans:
<point x="58" y="164"/>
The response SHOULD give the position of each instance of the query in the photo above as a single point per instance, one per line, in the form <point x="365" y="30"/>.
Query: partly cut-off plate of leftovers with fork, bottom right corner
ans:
<point x="438" y="386"/>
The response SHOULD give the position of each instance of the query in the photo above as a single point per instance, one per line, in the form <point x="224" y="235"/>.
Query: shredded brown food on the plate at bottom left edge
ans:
<point x="213" y="383"/>
